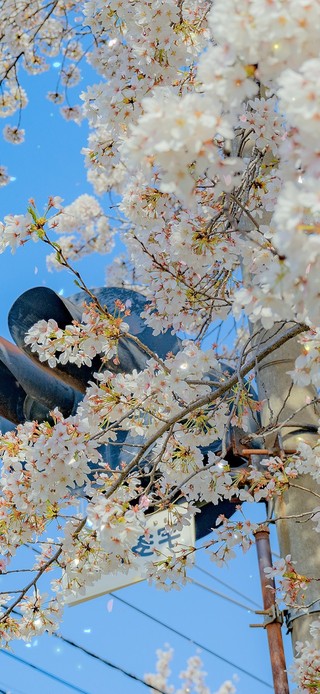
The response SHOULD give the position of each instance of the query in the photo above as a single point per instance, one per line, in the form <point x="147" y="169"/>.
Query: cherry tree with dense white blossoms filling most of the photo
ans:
<point x="205" y="122"/>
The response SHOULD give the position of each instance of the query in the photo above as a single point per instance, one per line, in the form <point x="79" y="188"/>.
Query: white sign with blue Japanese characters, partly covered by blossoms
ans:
<point x="159" y="538"/>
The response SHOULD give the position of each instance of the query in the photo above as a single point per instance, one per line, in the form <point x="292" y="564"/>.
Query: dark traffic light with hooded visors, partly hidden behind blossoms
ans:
<point x="30" y="389"/>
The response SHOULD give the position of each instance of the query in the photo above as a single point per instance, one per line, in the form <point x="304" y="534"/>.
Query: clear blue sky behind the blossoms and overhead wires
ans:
<point x="50" y="163"/>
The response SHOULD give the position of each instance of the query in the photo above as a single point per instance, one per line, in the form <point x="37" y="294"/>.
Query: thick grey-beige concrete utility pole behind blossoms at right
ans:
<point x="282" y="401"/>
